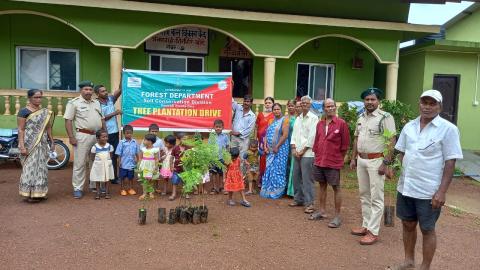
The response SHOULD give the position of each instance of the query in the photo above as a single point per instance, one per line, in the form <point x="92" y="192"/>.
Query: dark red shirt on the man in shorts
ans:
<point x="330" y="148"/>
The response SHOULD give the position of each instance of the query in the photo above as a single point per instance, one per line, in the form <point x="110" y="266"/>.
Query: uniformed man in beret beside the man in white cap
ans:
<point x="368" y="157"/>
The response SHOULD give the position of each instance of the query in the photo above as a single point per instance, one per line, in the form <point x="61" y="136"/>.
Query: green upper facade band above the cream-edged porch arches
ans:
<point x="123" y="28"/>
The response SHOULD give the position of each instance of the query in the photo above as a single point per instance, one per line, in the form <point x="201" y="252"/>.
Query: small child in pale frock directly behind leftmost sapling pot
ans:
<point x="149" y="162"/>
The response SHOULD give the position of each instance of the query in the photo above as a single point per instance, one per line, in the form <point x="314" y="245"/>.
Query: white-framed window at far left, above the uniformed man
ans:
<point x="47" y="68"/>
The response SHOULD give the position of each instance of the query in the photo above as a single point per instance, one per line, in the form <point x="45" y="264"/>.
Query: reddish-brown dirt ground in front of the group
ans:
<point x="63" y="233"/>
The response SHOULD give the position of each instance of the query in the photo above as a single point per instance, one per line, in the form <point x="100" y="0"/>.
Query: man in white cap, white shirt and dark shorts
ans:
<point x="429" y="147"/>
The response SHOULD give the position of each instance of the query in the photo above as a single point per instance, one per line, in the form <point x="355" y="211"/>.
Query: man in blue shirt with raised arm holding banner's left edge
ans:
<point x="107" y="102"/>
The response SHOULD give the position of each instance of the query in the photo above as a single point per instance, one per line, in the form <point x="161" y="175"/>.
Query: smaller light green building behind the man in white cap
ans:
<point x="449" y="62"/>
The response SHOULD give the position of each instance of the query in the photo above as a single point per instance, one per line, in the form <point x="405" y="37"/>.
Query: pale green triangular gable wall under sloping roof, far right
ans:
<point x="466" y="29"/>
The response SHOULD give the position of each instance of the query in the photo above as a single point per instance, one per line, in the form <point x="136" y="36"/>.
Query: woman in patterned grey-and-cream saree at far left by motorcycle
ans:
<point x="34" y="126"/>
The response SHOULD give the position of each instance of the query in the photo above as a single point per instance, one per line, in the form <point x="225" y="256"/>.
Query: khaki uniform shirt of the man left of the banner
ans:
<point x="84" y="114"/>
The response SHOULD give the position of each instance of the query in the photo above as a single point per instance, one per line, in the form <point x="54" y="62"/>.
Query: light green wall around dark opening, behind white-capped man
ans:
<point x="464" y="65"/>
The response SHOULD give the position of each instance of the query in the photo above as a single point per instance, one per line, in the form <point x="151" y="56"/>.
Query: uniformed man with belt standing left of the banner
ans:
<point x="86" y="115"/>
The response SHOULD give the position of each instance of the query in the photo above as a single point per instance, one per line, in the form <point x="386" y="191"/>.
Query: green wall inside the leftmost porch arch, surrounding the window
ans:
<point x="17" y="30"/>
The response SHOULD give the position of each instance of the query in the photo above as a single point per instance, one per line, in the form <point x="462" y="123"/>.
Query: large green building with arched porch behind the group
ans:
<point x="278" y="48"/>
